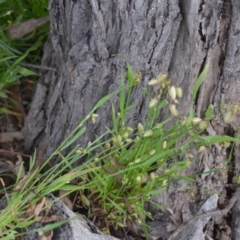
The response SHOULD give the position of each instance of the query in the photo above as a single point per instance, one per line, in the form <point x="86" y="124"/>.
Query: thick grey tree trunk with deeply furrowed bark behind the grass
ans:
<point x="87" y="41"/>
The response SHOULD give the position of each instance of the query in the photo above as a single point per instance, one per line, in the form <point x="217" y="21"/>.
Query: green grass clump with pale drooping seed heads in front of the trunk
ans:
<point x="123" y="169"/>
